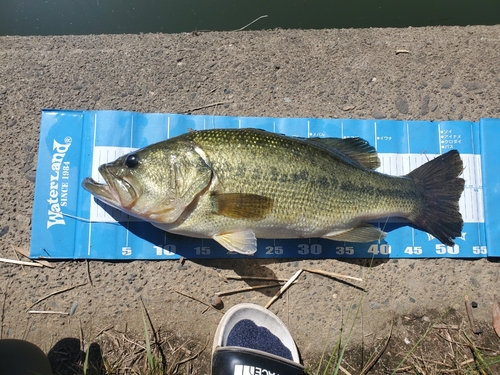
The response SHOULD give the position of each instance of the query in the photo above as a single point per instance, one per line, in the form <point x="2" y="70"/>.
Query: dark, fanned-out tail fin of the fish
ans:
<point x="441" y="188"/>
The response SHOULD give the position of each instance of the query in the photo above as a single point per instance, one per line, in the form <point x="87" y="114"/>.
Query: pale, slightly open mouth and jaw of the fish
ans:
<point x="116" y="191"/>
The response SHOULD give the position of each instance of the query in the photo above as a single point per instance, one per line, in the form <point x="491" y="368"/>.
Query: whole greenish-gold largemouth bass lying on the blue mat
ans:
<point x="238" y="185"/>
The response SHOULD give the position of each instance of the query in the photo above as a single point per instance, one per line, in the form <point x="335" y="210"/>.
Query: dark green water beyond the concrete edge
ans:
<point x="62" y="17"/>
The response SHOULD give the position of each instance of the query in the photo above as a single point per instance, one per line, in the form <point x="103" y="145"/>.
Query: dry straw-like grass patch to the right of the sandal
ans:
<point x="441" y="349"/>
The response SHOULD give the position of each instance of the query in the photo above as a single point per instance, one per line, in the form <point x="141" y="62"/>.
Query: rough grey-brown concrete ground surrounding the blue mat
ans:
<point x="446" y="73"/>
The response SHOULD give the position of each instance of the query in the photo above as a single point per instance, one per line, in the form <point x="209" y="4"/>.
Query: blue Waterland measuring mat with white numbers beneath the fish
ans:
<point x="69" y="223"/>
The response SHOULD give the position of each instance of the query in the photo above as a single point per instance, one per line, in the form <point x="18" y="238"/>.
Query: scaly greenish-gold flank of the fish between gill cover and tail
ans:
<point x="322" y="206"/>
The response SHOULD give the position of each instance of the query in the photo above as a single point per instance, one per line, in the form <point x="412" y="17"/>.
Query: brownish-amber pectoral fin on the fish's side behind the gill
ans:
<point x="241" y="206"/>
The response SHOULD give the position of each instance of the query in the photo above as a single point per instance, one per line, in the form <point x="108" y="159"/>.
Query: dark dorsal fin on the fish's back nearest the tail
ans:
<point x="357" y="149"/>
